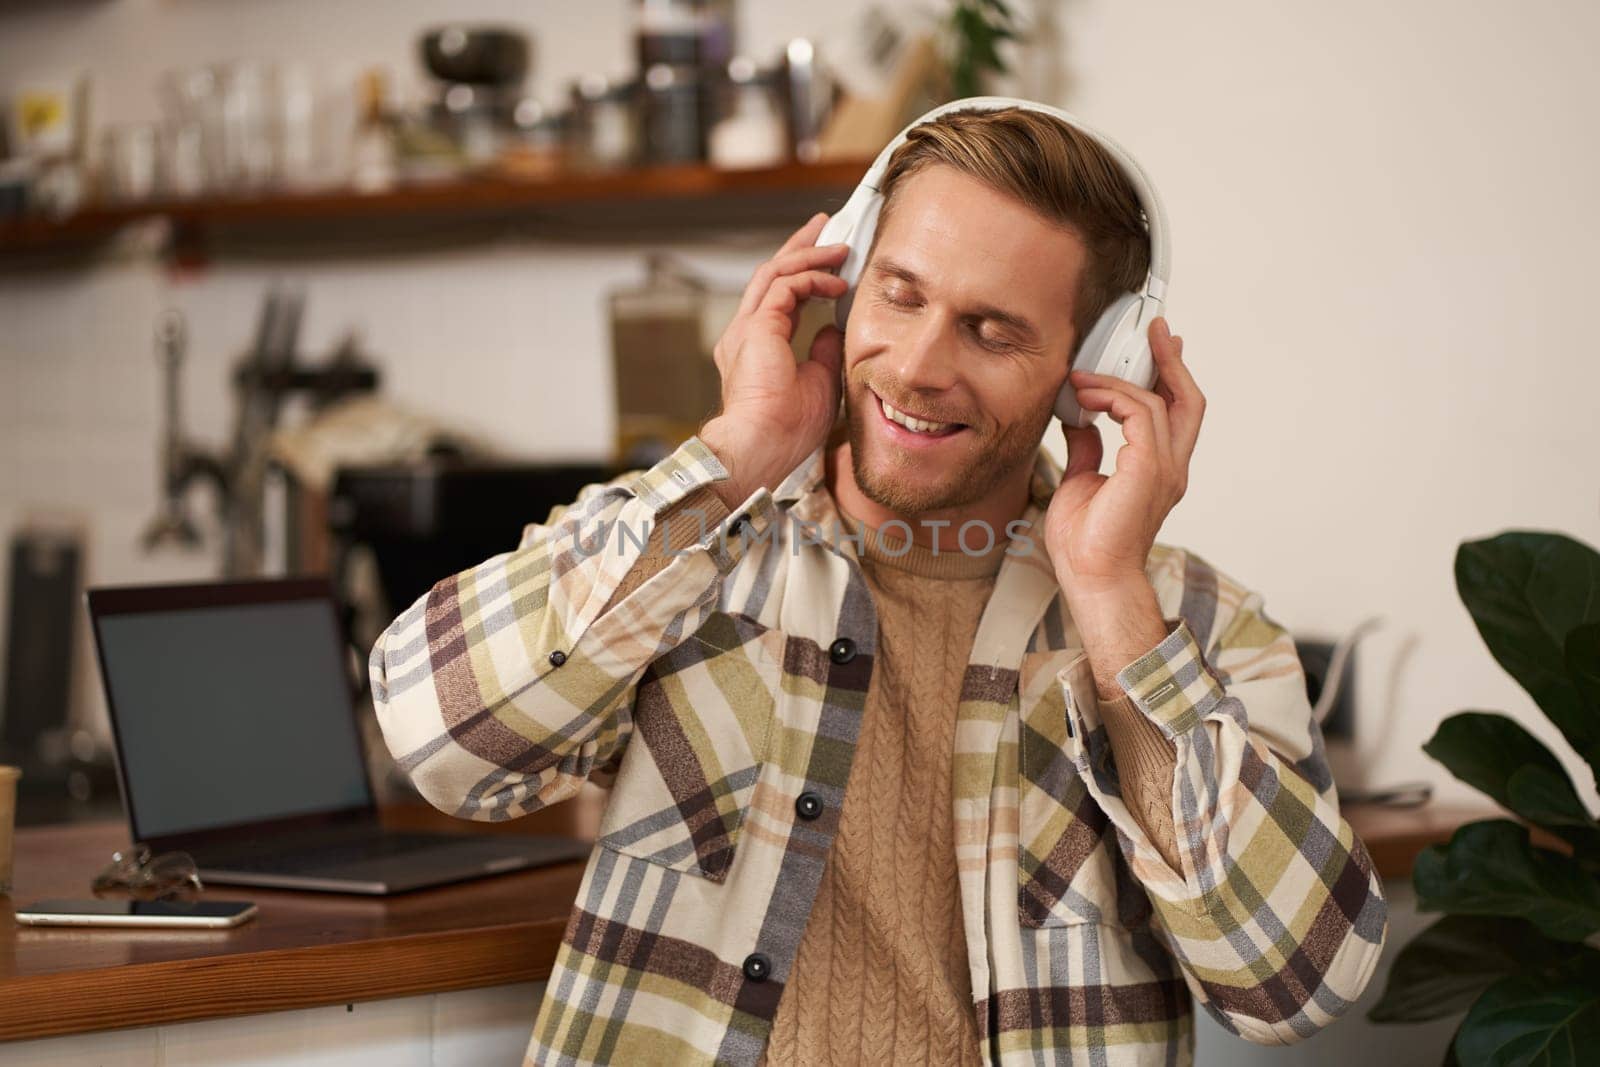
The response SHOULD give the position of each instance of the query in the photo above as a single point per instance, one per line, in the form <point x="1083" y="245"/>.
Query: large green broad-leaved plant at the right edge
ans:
<point x="1518" y="945"/>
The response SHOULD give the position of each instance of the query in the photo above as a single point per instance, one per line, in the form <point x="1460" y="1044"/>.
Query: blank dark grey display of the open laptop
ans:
<point x="231" y="714"/>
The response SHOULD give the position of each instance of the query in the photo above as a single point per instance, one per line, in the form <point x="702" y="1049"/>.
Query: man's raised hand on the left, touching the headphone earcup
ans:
<point x="777" y="412"/>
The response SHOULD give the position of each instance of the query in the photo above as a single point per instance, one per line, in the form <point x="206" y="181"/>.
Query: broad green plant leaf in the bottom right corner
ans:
<point x="1537" y="1020"/>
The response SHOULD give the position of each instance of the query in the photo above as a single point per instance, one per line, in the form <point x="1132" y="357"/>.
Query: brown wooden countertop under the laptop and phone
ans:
<point x="310" y="949"/>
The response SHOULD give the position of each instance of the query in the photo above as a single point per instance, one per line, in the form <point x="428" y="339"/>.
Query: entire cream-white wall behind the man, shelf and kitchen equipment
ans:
<point x="1380" y="214"/>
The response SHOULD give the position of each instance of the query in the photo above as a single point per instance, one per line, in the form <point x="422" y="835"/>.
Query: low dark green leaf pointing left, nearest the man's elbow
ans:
<point x="1444" y="969"/>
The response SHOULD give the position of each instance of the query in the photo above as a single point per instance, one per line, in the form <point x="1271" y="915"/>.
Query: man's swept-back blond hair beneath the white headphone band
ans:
<point x="1055" y="169"/>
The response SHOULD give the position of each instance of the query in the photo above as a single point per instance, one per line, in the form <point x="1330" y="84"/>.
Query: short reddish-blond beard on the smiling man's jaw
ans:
<point x="990" y="463"/>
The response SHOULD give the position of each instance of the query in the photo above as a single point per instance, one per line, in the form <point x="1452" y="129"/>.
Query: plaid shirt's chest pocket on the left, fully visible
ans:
<point x="703" y="721"/>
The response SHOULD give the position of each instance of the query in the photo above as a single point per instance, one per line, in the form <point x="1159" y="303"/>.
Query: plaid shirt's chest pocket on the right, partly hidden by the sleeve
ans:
<point x="1070" y="865"/>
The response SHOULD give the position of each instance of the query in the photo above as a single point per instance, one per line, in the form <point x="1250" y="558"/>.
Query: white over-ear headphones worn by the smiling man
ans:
<point x="1119" y="343"/>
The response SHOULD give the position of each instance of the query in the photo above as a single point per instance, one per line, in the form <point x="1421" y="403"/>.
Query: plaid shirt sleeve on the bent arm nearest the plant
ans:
<point x="1276" y="913"/>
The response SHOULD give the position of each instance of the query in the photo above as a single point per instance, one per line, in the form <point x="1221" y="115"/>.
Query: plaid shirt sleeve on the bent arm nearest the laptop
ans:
<point x="506" y="685"/>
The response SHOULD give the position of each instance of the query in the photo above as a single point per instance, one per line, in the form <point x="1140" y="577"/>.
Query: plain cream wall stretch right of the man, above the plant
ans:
<point x="1383" y="214"/>
